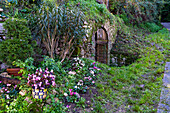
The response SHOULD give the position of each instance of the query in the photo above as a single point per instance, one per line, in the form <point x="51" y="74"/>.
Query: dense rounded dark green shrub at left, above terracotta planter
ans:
<point x="18" y="43"/>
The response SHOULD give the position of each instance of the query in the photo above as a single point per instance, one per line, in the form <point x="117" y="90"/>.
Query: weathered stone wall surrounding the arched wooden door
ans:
<point x="90" y="50"/>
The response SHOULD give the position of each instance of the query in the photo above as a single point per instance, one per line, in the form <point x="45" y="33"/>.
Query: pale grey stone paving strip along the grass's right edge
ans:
<point x="164" y="104"/>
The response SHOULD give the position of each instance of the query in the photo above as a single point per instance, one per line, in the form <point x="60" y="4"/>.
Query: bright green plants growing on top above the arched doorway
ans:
<point x="93" y="10"/>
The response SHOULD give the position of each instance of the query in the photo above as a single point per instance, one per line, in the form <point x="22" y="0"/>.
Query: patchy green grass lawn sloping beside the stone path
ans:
<point x="137" y="86"/>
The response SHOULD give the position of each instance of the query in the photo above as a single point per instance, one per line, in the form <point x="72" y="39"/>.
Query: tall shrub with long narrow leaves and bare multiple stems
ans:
<point x="58" y="27"/>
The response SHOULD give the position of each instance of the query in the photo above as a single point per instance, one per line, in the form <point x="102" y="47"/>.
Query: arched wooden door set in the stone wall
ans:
<point x="101" y="46"/>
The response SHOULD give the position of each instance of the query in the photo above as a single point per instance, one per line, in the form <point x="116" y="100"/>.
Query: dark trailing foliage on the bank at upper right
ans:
<point x="136" y="12"/>
